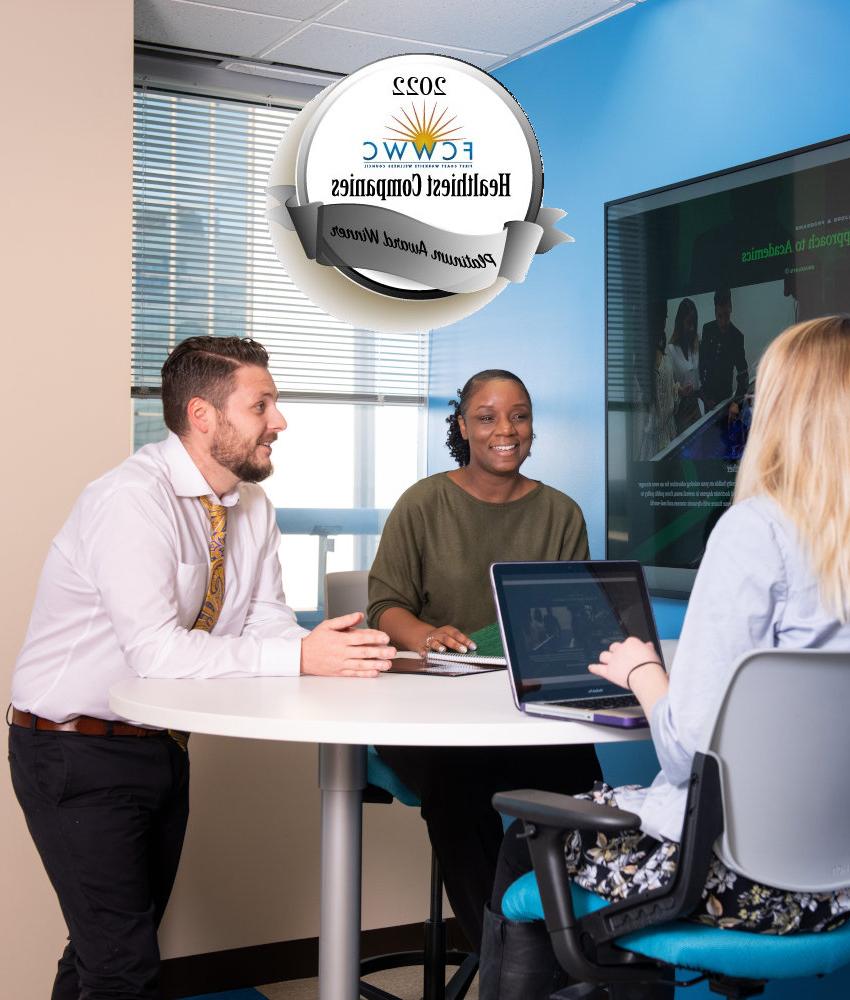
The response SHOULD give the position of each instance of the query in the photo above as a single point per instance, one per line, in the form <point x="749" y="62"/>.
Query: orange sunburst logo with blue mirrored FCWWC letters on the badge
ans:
<point x="418" y="135"/>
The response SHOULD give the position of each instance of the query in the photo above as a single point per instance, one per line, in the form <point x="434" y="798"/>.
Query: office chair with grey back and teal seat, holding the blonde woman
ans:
<point x="768" y="794"/>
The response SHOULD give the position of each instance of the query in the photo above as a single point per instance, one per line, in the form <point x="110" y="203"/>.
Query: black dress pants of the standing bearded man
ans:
<point x="108" y="815"/>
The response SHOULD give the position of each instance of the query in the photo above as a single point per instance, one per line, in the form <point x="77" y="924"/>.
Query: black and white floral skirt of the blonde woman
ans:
<point x="632" y="862"/>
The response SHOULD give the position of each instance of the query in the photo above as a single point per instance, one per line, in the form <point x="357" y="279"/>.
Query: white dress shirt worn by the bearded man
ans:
<point x="126" y="576"/>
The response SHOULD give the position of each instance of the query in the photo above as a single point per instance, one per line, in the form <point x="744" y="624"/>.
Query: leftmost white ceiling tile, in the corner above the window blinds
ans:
<point x="190" y="25"/>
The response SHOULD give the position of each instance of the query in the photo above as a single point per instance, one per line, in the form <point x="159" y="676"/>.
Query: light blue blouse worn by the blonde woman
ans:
<point x="754" y="590"/>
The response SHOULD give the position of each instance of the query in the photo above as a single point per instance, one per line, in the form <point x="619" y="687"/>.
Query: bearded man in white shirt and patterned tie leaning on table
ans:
<point x="167" y="567"/>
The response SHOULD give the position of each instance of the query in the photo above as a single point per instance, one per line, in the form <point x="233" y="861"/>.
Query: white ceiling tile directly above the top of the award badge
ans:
<point x="344" y="51"/>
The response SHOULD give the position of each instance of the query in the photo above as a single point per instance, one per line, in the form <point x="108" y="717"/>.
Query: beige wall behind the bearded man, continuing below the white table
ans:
<point x="250" y="868"/>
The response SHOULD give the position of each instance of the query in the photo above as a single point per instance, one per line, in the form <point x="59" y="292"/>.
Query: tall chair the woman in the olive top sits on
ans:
<point x="345" y="592"/>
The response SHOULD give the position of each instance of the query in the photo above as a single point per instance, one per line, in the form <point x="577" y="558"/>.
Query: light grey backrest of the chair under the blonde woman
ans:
<point x="782" y="738"/>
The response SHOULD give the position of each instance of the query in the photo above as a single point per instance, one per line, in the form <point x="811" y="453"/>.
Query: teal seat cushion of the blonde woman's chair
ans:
<point x="688" y="945"/>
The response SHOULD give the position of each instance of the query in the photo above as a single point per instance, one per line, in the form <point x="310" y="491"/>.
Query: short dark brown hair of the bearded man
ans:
<point x="205" y="367"/>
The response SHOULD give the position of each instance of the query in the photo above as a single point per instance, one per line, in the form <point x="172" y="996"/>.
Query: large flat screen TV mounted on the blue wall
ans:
<point x="699" y="278"/>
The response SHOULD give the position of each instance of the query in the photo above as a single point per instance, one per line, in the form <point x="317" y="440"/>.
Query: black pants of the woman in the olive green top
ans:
<point x="455" y="786"/>
